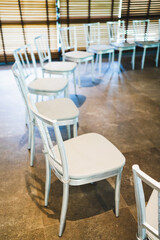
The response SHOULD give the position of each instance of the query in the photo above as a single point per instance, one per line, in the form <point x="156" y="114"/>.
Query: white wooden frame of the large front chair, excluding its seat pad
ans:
<point x="61" y="168"/>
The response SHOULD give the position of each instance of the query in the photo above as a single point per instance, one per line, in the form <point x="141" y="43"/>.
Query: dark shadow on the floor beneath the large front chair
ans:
<point x="84" y="201"/>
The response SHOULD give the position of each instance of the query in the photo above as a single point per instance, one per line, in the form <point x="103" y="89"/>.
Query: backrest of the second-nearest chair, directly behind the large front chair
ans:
<point x="22" y="87"/>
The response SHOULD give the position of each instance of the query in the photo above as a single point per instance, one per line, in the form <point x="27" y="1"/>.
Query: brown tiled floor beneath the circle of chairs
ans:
<point x="125" y="108"/>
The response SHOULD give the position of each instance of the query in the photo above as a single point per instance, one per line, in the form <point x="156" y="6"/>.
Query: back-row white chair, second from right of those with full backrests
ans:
<point x="116" y="33"/>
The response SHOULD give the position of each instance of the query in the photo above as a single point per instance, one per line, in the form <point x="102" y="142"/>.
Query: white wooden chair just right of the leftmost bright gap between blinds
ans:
<point x="68" y="39"/>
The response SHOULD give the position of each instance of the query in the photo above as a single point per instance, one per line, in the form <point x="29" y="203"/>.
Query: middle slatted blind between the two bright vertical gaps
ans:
<point x="75" y="12"/>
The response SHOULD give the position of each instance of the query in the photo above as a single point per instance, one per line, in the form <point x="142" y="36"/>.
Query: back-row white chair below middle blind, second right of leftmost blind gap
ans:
<point x="94" y="45"/>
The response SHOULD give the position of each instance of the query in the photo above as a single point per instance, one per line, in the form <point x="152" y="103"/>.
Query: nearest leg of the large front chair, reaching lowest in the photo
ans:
<point x="64" y="208"/>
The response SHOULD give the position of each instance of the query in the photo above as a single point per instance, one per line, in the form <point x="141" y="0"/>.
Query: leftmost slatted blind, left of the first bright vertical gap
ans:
<point x="22" y="20"/>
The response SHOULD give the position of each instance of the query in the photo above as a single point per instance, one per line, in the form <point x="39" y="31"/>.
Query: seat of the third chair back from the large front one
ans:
<point x="48" y="85"/>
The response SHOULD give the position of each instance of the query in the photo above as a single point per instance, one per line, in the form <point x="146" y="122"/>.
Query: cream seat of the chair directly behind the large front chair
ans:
<point x="59" y="109"/>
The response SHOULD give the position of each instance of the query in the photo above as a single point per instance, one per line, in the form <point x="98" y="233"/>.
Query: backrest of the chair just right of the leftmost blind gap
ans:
<point x="68" y="38"/>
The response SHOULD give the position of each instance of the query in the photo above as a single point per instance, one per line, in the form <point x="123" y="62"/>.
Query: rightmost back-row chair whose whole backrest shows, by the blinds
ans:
<point x="141" y="34"/>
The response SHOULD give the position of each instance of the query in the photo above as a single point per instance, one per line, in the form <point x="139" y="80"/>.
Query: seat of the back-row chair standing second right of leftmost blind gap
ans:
<point x="100" y="48"/>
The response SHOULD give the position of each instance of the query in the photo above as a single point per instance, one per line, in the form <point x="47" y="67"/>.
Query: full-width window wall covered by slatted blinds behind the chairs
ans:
<point x="22" y="20"/>
